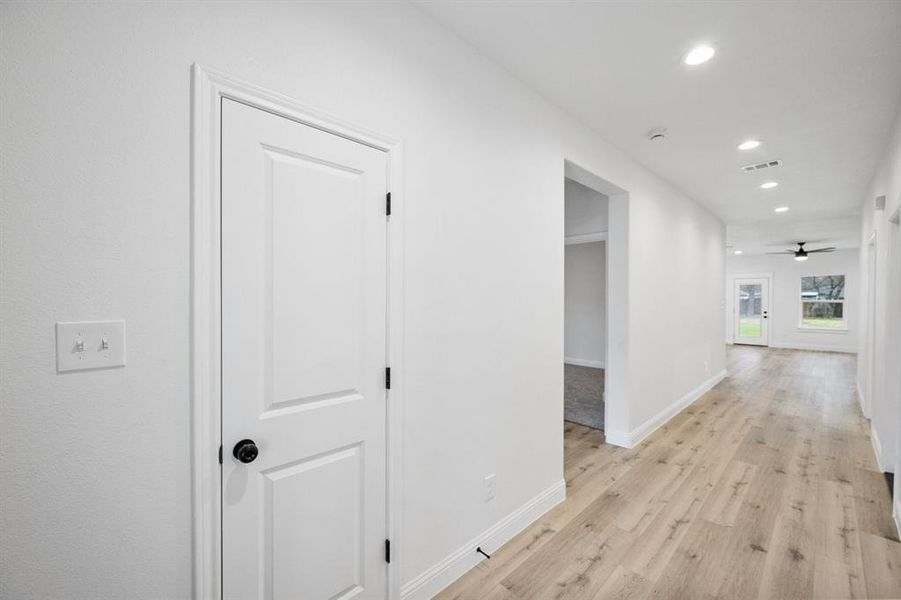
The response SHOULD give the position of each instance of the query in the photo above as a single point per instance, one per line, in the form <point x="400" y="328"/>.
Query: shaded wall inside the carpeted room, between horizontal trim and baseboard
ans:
<point x="585" y="304"/>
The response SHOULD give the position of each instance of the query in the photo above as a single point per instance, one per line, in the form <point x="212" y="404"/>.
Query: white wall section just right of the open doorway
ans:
<point x="677" y="267"/>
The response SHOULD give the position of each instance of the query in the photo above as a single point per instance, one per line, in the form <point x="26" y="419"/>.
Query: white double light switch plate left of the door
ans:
<point x="90" y="345"/>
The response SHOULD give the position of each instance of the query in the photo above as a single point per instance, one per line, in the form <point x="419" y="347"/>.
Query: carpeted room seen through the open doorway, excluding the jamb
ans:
<point x="585" y="304"/>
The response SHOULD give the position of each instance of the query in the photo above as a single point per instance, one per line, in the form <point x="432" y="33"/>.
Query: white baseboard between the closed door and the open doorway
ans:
<point x="454" y="566"/>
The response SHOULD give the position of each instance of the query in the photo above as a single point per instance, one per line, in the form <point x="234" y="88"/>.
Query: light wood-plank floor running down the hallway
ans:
<point x="764" y="488"/>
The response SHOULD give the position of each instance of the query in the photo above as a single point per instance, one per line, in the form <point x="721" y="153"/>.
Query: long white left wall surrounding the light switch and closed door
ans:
<point x="95" y="466"/>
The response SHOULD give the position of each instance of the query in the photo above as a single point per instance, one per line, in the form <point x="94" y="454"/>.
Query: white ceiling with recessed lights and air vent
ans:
<point x="818" y="82"/>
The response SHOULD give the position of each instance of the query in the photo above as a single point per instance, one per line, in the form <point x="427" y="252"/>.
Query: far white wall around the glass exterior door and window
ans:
<point x="785" y="290"/>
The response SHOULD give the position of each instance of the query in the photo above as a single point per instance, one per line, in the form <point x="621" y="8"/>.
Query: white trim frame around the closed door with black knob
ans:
<point x="208" y="90"/>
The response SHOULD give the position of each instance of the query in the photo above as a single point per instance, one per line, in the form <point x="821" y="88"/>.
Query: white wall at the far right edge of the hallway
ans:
<point x="884" y="396"/>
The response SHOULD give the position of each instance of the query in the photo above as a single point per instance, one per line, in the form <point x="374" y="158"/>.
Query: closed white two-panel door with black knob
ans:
<point x="304" y="326"/>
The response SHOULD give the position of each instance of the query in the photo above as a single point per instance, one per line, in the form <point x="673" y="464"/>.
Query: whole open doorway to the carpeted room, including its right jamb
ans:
<point x="596" y="306"/>
